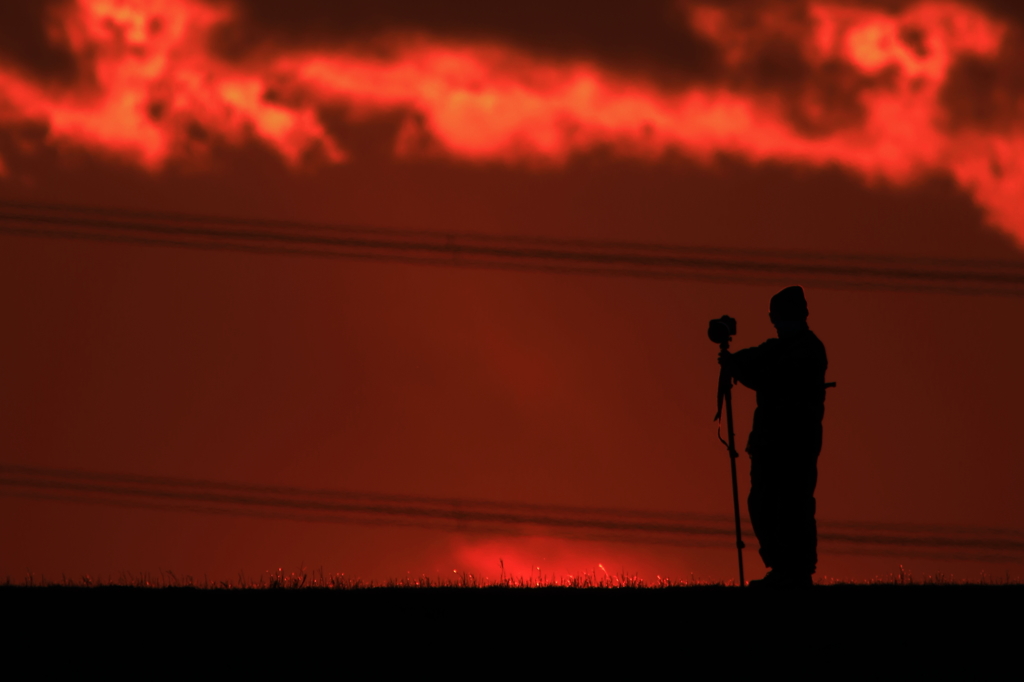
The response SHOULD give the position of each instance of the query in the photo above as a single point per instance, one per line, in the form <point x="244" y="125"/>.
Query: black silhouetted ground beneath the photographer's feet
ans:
<point x="825" y="632"/>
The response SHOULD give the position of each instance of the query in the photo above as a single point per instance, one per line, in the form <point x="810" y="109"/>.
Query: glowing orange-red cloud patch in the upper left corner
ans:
<point x="154" y="90"/>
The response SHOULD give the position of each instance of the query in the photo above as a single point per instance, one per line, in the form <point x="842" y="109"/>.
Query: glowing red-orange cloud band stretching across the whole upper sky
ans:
<point x="156" y="91"/>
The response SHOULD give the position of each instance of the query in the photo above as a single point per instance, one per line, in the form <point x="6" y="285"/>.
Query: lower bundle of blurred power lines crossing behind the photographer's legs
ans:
<point x="611" y="525"/>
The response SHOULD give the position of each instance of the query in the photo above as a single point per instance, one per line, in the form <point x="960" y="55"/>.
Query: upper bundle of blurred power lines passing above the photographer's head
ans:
<point x="535" y="254"/>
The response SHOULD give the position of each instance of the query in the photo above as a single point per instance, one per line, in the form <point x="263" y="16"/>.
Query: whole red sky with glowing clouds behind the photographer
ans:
<point x="890" y="129"/>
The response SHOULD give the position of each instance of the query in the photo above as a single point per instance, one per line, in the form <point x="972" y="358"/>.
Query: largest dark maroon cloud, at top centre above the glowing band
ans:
<point x="650" y="35"/>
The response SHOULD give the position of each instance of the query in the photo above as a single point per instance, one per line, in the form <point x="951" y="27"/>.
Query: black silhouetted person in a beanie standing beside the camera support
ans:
<point x="789" y="375"/>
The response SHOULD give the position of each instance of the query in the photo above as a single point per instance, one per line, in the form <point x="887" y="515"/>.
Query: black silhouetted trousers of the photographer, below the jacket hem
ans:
<point x="782" y="507"/>
